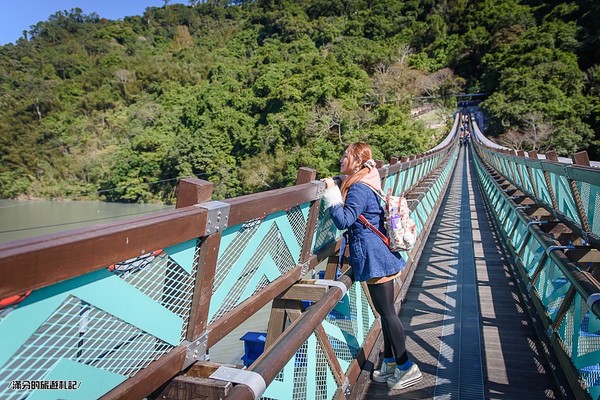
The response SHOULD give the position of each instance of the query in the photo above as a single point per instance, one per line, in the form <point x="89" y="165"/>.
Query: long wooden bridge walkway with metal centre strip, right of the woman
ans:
<point x="466" y="325"/>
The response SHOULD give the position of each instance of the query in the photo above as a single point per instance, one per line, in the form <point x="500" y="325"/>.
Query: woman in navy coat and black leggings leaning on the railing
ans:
<point x="370" y="259"/>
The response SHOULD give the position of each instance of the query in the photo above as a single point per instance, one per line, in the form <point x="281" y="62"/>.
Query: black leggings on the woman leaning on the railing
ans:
<point x="394" y="338"/>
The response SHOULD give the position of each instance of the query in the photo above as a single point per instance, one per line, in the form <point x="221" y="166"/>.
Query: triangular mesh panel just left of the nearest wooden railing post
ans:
<point x="163" y="280"/>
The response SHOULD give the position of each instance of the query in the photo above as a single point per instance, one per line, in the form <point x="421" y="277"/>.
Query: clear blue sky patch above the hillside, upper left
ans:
<point x="17" y="16"/>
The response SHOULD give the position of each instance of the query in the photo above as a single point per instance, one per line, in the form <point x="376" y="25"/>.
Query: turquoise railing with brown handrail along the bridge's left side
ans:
<point x="95" y="331"/>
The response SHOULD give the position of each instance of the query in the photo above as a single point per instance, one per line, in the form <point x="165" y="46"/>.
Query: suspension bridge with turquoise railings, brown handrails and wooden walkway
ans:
<point x="500" y="297"/>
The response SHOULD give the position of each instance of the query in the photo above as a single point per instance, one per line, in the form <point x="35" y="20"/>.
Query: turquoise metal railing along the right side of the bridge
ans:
<point x="563" y="291"/>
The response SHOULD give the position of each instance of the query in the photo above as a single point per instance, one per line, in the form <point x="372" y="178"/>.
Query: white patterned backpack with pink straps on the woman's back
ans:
<point x="401" y="228"/>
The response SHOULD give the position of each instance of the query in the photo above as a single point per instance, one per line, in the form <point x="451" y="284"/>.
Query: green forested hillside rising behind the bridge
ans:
<point x="243" y="93"/>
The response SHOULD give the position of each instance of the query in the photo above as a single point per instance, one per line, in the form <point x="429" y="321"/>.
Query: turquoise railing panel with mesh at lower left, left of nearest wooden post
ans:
<point x="98" y="329"/>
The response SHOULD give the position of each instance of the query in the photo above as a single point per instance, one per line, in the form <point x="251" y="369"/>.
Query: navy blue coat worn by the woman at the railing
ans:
<point x="369" y="256"/>
